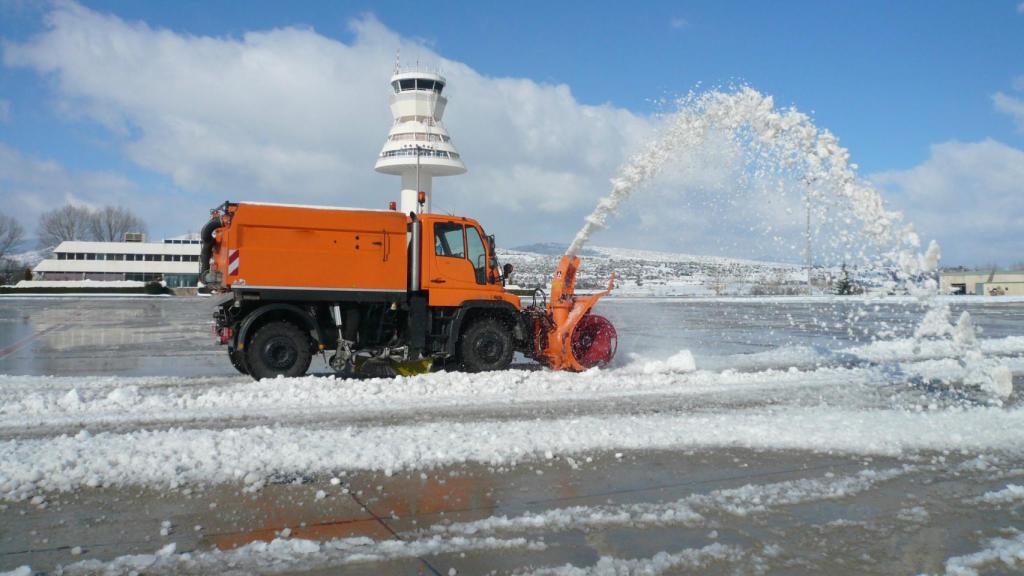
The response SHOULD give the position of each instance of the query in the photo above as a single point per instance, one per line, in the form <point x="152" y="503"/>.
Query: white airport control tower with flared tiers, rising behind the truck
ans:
<point x="418" y="147"/>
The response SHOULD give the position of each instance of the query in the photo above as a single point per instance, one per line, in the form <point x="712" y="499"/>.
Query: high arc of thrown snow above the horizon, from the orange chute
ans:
<point x="783" y="144"/>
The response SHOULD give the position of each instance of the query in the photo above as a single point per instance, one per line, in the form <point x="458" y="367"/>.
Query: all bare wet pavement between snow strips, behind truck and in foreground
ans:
<point x="928" y="512"/>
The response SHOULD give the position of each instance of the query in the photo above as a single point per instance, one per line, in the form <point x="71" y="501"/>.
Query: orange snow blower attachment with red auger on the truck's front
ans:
<point x="567" y="336"/>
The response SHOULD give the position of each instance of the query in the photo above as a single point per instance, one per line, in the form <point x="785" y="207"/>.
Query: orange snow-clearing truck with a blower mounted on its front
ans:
<point x="379" y="293"/>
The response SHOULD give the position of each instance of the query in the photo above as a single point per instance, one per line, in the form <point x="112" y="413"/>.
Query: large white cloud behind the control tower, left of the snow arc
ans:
<point x="290" y="115"/>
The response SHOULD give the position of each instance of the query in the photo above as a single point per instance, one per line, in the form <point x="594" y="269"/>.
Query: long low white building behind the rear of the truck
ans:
<point x="175" y="261"/>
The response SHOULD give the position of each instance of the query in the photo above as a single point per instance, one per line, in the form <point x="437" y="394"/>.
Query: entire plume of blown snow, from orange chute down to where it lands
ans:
<point x="786" y="145"/>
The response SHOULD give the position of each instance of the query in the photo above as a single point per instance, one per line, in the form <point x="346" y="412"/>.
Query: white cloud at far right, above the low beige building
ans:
<point x="969" y="197"/>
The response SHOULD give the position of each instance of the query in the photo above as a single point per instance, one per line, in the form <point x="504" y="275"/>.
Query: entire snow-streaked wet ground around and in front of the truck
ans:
<point x="731" y="436"/>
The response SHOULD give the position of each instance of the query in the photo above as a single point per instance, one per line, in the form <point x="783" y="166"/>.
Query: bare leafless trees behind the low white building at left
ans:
<point x="109" y="224"/>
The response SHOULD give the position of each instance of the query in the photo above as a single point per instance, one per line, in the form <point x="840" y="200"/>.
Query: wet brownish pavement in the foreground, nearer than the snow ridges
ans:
<point x="911" y="526"/>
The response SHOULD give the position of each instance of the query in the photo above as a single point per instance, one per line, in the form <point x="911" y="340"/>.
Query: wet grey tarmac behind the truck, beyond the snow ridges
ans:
<point x="165" y="337"/>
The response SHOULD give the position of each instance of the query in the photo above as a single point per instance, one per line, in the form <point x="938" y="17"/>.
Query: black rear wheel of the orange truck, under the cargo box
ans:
<point x="279" y="349"/>
